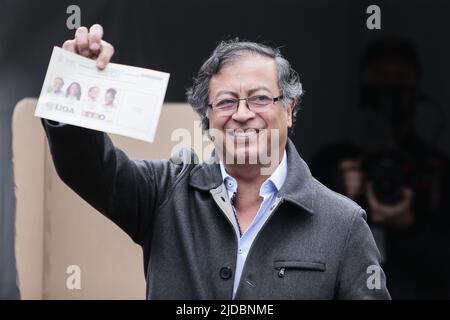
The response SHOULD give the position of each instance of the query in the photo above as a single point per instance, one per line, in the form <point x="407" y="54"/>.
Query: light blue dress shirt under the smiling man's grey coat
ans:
<point x="268" y="192"/>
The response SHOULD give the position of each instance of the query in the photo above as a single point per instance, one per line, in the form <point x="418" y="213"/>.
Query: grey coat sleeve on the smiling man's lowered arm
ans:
<point x="360" y="275"/>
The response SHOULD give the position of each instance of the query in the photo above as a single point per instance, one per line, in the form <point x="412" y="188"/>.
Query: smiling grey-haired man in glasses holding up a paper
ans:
<point x="222" y="229"/>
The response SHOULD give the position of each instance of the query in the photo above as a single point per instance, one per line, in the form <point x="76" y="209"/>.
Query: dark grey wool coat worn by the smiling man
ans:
<point x="315" y="245"/>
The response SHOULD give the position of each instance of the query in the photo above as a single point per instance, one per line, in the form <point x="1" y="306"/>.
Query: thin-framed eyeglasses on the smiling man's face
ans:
<point x="228" y="106"/>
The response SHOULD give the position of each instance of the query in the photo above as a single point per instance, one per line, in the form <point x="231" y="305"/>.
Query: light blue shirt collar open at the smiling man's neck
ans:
<point x="272" y="184"/>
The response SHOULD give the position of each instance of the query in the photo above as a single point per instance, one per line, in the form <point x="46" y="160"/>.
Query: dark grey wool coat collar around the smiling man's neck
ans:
<point x="297" y="189"/>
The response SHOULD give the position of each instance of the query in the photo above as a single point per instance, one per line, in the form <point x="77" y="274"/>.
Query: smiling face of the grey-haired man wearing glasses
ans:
<point x="248" y="76"/>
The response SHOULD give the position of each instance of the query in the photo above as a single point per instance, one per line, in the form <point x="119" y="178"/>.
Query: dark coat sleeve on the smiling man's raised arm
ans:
<point x="124" y="190"/>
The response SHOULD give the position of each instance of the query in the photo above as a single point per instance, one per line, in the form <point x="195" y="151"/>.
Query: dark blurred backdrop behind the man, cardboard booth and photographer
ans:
<point x="323" y="39"/>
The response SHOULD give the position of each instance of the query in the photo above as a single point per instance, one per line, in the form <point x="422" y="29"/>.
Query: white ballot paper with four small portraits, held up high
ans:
<point x="121" y="99"/>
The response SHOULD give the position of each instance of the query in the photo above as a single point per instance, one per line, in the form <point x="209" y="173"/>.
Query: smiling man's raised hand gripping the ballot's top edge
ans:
<point x="89" y="43"/>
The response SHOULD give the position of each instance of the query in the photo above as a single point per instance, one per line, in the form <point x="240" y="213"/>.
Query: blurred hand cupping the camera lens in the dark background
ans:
<point x="398" y="215"/>
